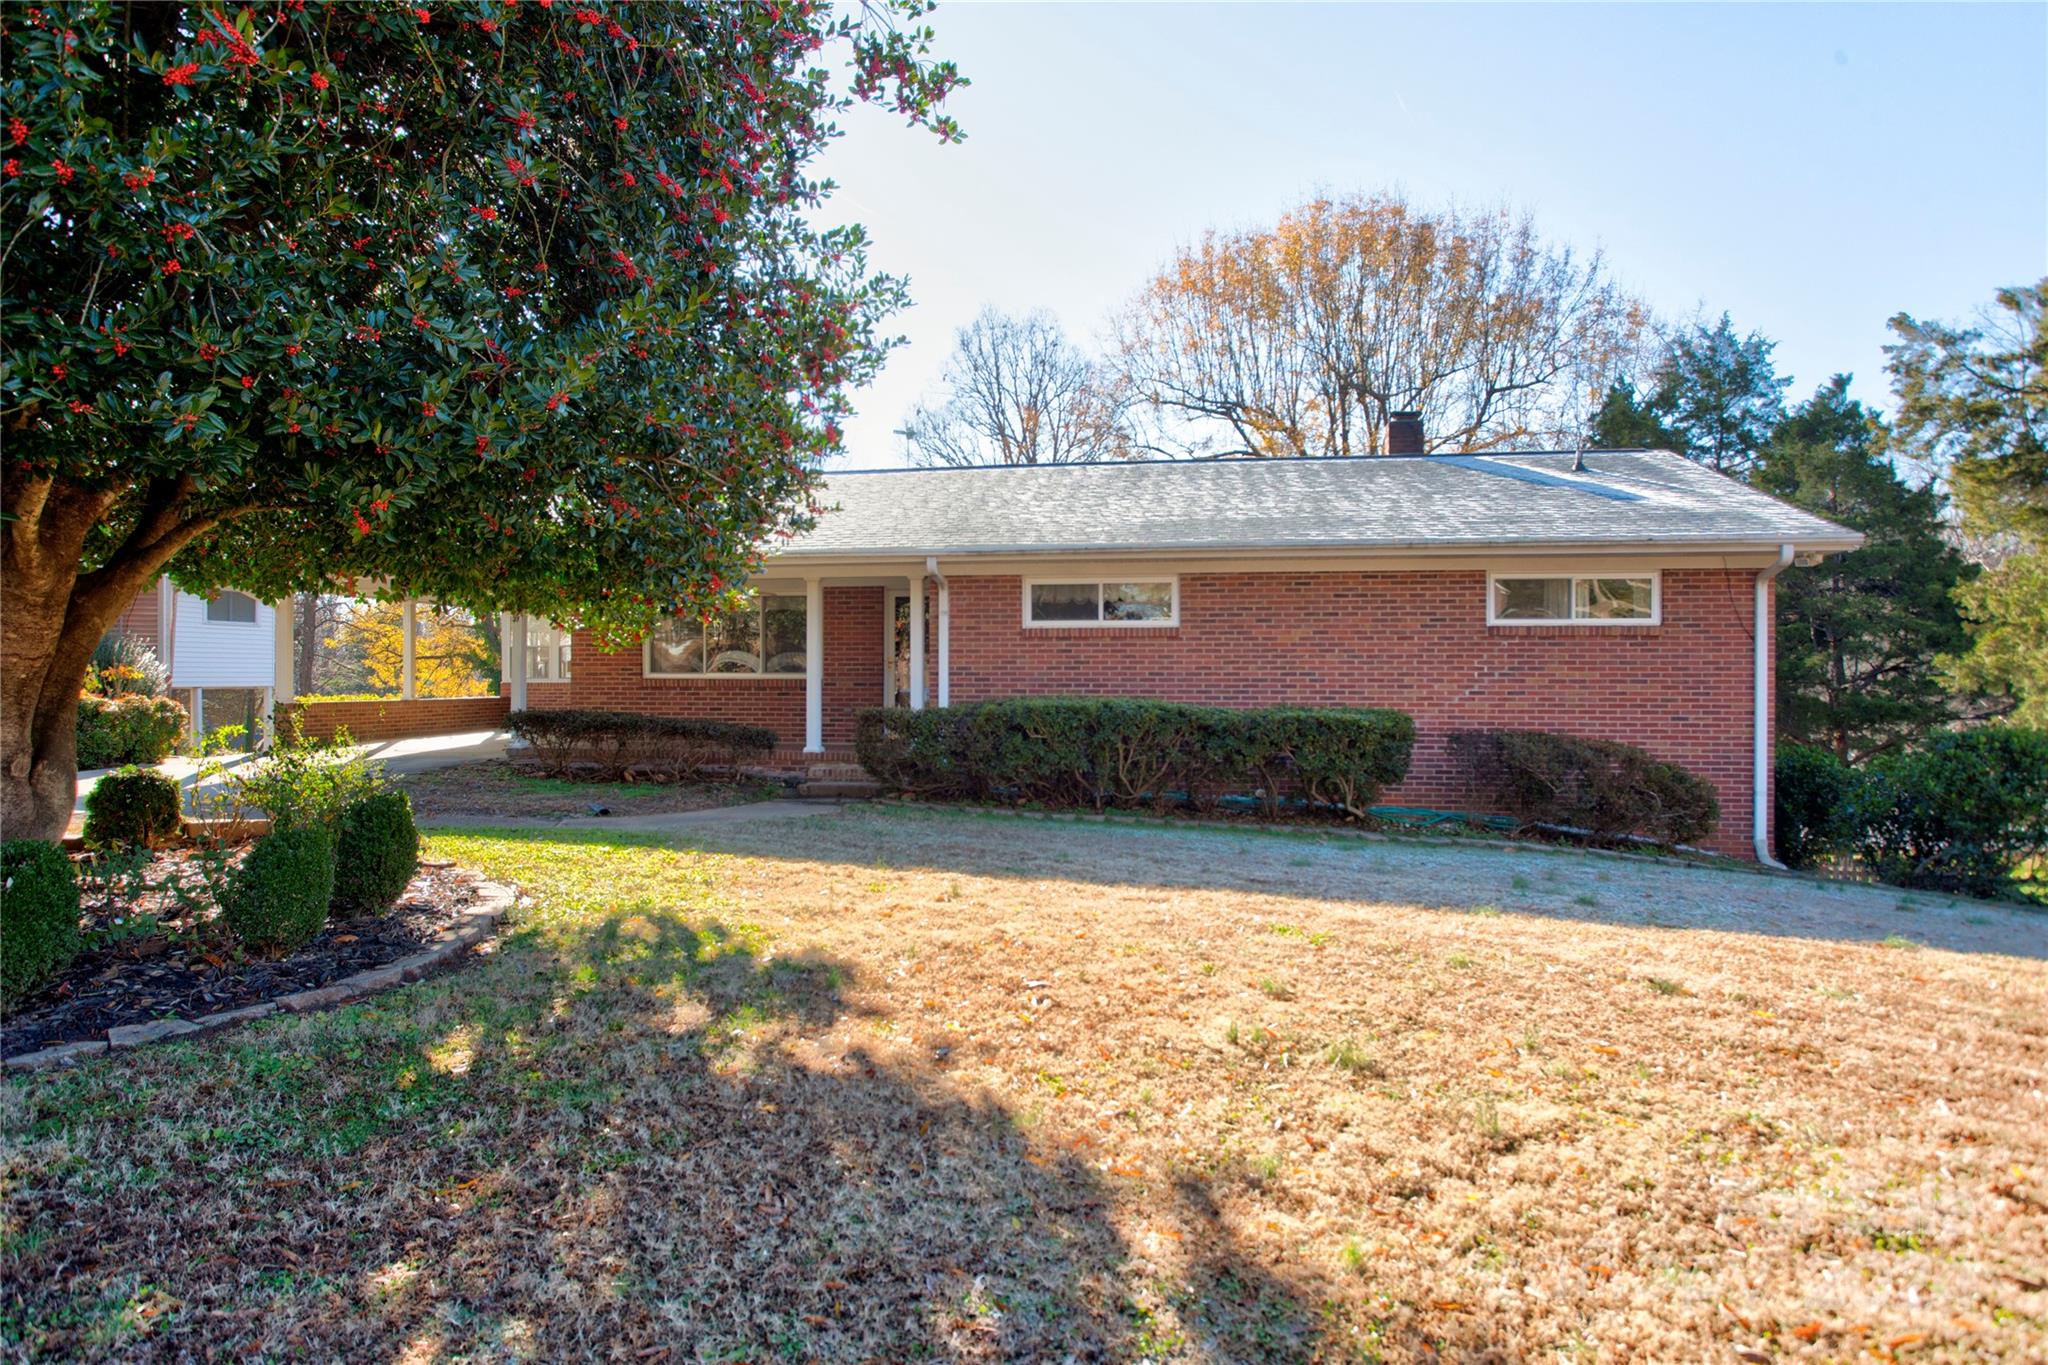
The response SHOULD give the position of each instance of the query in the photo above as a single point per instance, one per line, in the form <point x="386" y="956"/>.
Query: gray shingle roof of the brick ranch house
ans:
<point x="1388" y="502"/>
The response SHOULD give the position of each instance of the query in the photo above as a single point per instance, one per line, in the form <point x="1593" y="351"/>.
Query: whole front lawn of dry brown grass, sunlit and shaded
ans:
<point x="902" y="1086"/>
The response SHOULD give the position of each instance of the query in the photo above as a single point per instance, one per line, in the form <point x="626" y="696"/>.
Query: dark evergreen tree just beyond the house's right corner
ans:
<point x="1859" y="633"/>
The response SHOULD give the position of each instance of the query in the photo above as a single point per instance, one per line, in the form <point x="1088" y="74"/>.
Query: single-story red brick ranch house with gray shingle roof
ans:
<point x="1615" y="595"/>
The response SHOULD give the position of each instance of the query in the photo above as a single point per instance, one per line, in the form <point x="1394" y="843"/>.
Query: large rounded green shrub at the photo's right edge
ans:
<point x="1961" y="813"/>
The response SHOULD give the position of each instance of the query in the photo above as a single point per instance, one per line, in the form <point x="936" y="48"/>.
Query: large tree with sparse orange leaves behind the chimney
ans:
<point x="1302" y="339"/>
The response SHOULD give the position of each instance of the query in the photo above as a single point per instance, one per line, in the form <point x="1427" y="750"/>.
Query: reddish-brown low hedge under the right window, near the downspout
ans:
<point x="1598" y="787"/>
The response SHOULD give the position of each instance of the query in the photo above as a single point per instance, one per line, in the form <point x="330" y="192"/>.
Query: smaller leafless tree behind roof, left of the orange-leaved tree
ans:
<point x="1017" y="392"/>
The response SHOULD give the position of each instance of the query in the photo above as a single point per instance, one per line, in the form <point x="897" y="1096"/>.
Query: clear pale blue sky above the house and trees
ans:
<point x="1807" y="169"/>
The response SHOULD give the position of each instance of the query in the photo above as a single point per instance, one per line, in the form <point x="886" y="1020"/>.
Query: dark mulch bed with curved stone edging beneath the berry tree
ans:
<point x="196" y="969"/>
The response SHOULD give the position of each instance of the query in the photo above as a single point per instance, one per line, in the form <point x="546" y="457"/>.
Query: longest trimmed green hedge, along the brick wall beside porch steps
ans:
<point x="1125" y="752"/>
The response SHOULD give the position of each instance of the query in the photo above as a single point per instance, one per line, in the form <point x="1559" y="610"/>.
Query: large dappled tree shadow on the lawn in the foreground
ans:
<point x="652" y="1141"/>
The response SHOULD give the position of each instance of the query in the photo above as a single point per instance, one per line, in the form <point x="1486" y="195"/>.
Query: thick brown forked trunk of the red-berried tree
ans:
<point x="52" y="617"/>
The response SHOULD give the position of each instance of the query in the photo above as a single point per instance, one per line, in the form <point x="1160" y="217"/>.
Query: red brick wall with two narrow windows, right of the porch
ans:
<point x="1414" y="642"/>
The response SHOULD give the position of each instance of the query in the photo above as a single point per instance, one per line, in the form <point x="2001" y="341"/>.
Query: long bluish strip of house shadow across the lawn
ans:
<point x="1543" y="881"/>
